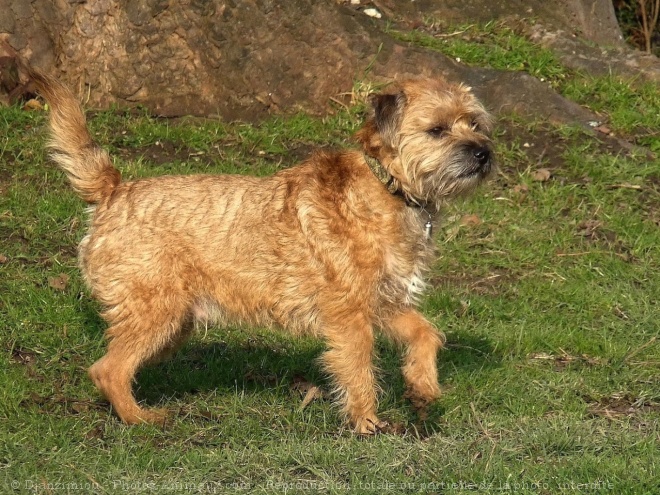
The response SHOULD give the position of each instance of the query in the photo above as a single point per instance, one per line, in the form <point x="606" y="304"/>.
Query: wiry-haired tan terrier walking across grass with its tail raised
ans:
<point x="337" y="246"/>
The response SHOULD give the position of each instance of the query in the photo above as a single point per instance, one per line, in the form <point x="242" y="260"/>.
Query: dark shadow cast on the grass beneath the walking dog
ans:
<point x="259" y="366"/>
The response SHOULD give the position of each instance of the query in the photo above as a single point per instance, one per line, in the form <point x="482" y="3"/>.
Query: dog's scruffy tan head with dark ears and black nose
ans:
<point x="433" y="138"/>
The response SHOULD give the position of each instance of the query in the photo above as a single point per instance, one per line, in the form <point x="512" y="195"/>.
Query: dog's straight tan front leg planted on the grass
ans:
<point x="349" y="361"/>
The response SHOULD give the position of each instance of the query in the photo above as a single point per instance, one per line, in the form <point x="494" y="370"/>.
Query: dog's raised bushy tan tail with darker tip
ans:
<point x="86" y="164"/>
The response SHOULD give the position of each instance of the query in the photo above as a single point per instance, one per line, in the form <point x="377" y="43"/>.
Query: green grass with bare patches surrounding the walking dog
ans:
<point x="547" y="291"/>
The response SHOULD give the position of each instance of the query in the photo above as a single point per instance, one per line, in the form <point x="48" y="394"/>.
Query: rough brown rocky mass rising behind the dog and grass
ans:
<point x="246" y="59"/>
